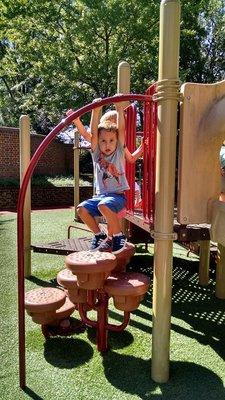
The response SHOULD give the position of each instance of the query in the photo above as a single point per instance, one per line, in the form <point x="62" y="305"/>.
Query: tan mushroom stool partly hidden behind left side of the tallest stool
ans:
<point x="69" y="281"/>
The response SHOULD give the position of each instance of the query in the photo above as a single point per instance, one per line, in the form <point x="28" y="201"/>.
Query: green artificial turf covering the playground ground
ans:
<point x="72" y="368"/>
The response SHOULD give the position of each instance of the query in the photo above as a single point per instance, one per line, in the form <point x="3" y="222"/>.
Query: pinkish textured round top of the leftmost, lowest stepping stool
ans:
<point x="44" y="299"/>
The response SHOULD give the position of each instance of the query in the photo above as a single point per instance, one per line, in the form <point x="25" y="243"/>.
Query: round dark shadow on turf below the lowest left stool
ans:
<point x="67" y="353"/>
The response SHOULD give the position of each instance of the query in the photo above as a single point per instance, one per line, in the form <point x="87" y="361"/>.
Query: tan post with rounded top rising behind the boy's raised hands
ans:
<point x="123" y="87"/>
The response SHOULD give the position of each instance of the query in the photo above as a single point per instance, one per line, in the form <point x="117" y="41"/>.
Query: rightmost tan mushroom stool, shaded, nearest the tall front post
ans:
<point x="127" y="289"/>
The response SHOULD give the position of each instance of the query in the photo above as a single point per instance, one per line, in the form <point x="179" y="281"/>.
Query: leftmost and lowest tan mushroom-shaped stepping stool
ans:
<point x="42" y="303"/>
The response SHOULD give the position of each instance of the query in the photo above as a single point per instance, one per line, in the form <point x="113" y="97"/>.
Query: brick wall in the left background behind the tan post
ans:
<point x="57" y="158"/>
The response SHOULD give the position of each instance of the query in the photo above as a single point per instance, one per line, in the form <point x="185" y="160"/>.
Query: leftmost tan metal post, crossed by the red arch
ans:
<point x="24" y="125"/>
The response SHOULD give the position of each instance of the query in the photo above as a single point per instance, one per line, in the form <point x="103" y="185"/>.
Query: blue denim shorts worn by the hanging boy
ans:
<point x="114" y="201"/>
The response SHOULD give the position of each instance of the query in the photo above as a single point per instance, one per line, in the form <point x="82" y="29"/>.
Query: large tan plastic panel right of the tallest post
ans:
<point x="202" y="132"/>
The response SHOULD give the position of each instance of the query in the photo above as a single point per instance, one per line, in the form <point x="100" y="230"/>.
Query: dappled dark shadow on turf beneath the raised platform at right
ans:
<point x="192" y="303"/>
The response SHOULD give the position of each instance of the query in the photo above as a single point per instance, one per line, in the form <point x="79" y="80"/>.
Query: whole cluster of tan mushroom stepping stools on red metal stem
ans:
<point x="88" y="282"/>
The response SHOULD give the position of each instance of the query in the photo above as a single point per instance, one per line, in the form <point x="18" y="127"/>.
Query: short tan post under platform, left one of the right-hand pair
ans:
<point x="204" y="259"/>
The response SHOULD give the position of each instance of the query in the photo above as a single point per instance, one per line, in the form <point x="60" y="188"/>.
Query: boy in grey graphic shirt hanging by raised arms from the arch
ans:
<point x="107" y="147"/>
